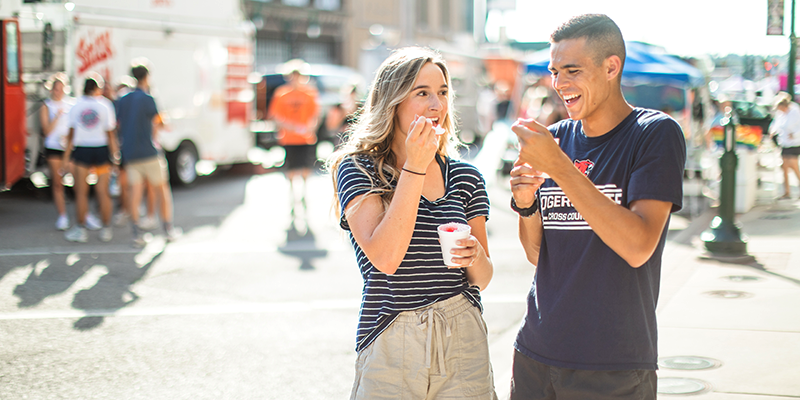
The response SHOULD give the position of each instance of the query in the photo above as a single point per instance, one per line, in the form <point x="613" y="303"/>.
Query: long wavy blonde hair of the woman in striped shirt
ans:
<point x="372" y="134"/>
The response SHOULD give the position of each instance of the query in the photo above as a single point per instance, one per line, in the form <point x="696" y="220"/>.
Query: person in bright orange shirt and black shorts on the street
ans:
<point x="295" y="109"/>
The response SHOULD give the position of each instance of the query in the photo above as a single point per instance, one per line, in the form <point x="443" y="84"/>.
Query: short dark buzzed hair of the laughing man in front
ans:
<point x="602" y="35"/>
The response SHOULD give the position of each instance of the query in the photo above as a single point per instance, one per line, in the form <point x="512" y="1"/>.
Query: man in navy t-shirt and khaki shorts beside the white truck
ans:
<point x="137" y="115"/>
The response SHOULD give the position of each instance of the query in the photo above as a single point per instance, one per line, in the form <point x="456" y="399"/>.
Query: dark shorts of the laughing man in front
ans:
<point x="533" y="380"/>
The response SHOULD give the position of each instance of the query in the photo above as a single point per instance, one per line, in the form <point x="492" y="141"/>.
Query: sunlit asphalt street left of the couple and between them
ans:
<point x="250" y="303"/>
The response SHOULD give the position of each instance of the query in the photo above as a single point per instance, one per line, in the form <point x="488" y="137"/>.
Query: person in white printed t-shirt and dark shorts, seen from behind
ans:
<point x="91" y="132"/>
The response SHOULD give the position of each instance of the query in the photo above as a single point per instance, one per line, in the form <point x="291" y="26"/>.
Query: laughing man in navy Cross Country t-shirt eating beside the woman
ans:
<point x="596" y="228"/>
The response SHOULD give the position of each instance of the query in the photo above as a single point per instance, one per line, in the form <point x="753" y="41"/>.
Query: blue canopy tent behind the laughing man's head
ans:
<point x="644" y="65"/>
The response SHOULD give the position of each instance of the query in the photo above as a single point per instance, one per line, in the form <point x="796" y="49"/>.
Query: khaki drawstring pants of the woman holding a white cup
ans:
<point x="437" y="352"/>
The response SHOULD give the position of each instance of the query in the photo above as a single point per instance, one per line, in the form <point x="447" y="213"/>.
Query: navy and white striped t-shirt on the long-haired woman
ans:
<point x="422" y="278"/>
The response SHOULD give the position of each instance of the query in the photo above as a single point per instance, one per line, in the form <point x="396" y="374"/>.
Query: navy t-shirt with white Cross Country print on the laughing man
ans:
<point x="588" y="308"/>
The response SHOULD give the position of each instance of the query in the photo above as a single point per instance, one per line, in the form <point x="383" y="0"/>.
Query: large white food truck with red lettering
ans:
<point x="200" y="56"/>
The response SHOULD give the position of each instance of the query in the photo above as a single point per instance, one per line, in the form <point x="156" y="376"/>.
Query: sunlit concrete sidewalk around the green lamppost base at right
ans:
<point x="742" y="321"/>
